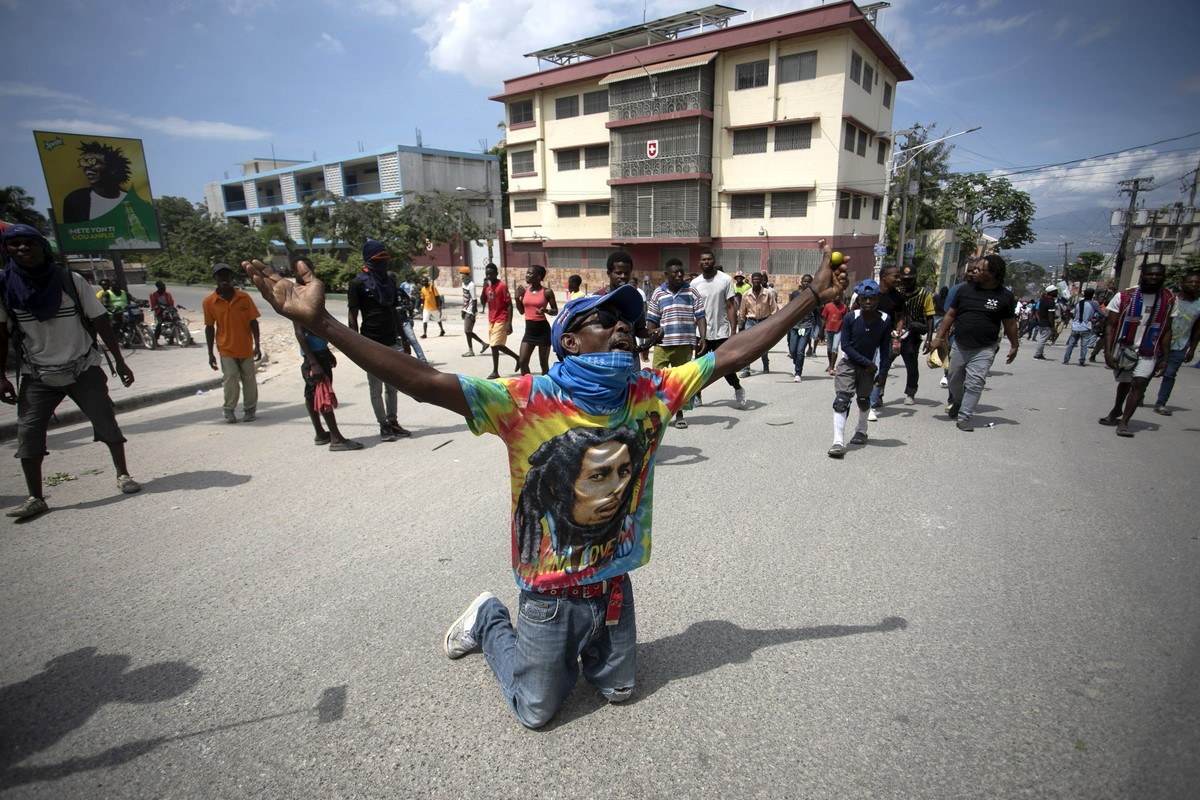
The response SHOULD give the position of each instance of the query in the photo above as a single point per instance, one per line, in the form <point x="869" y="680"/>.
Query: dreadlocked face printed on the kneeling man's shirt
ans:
<point x="578" y="496"/>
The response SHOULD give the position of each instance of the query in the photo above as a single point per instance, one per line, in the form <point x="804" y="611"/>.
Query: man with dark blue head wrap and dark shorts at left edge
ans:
<point x="53" y="318"/>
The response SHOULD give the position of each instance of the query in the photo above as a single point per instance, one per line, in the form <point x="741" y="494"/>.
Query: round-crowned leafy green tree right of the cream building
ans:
<point x="973" y="203"/>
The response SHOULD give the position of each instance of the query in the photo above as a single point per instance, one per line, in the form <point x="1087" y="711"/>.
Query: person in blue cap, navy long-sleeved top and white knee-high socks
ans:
<point x="866" y="333"/>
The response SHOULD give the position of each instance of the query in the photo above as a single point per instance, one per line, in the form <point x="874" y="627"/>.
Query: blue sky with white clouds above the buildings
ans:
<point x="211" y="83"/>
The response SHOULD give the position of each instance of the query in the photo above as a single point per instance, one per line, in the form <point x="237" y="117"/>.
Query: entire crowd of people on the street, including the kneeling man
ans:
<point x="584" y="432"/>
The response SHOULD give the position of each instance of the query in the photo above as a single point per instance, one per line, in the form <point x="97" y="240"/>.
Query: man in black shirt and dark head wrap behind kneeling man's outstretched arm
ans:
<point x="373" y="293"/>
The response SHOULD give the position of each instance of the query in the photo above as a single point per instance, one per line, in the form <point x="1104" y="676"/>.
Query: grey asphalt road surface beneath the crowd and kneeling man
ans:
<point x="999" y="615"/>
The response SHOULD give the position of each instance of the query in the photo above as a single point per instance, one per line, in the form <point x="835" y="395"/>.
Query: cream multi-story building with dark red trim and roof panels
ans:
<point x="755" y="141"/>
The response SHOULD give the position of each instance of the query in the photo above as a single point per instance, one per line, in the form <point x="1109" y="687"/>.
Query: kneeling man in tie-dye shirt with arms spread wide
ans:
<point x="583" y="443"/>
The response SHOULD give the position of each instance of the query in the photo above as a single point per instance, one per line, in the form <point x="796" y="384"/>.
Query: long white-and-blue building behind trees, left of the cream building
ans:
<point x="274" y="191"/>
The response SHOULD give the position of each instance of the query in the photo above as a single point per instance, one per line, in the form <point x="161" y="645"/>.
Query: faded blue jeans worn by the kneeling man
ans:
<point x="538" y="665"/>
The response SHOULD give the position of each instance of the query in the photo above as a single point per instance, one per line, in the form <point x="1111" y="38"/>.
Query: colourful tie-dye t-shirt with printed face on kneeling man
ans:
<point x="583" y="484"/>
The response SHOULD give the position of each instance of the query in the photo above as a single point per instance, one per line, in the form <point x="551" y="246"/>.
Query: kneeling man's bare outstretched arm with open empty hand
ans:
<point x="307" y="305"/>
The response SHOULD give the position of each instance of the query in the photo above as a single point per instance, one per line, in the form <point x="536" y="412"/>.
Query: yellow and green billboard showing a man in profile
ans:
<point x="100" y="193"/>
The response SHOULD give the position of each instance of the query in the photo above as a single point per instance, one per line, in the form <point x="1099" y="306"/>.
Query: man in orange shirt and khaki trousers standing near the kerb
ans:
<point x="231" y="320"/>
